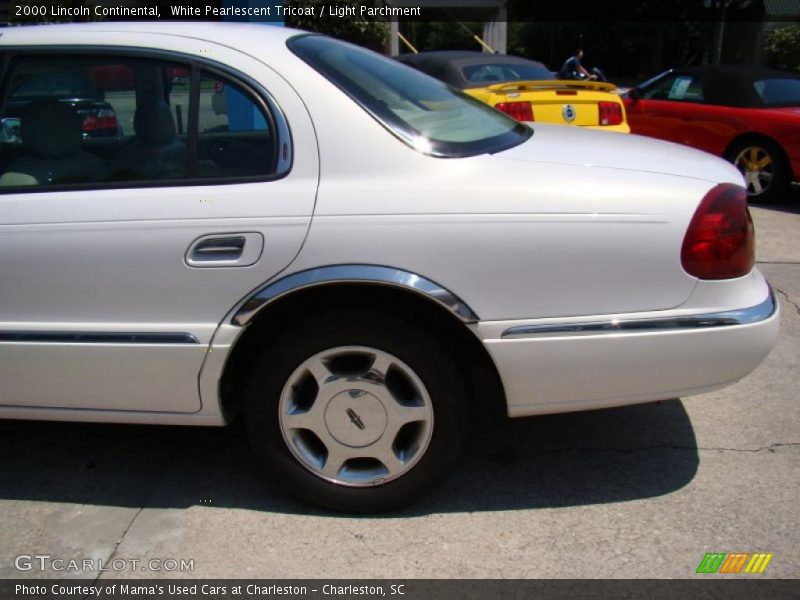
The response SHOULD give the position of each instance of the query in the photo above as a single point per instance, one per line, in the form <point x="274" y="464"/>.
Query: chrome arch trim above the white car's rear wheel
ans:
<point x="353" y="274"/>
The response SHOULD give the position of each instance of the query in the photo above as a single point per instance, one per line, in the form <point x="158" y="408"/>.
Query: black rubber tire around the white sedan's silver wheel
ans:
<point x="385" y="332"/>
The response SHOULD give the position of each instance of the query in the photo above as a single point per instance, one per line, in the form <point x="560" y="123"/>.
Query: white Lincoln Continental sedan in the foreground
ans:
<point x="200" y="222"/>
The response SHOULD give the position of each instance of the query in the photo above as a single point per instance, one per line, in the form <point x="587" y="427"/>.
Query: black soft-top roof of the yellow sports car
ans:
<point x="447" y="64"/>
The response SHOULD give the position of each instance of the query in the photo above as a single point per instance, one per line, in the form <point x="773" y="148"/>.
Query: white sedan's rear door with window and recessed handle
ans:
<point x="120" y="256"/>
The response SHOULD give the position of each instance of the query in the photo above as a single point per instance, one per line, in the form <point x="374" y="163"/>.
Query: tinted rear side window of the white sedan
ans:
<point x="117" y="121"/>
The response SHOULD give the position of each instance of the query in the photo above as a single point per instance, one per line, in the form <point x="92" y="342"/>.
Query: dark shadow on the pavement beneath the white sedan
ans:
<point x="612" y="455"/>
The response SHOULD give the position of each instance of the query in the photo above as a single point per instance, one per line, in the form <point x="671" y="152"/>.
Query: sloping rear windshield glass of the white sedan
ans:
<point x="423" y="112"/>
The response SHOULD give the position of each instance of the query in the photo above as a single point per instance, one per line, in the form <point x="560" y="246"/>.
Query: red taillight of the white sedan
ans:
<point x="720" y="243"/>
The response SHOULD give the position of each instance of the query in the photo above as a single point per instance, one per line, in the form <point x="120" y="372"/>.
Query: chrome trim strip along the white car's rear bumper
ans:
<point x="745" y="316"/>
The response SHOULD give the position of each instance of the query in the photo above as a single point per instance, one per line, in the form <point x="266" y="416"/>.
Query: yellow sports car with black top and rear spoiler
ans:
<point x="525" y="89"/>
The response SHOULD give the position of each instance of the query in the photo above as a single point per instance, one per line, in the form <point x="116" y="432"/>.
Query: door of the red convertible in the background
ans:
<point x="670" y="108"/>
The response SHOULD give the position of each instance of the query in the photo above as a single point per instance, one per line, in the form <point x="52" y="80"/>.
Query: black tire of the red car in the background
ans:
<point x="778" y="187"/>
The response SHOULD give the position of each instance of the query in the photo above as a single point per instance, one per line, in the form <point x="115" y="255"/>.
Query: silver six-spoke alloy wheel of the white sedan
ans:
<point x="356" y="416"/>
